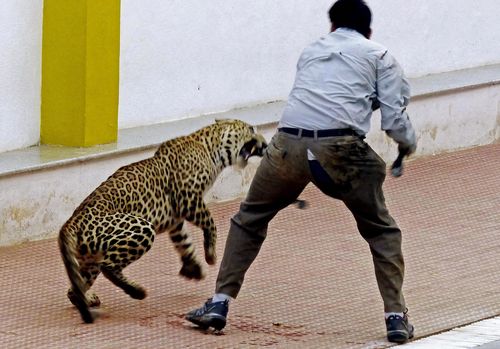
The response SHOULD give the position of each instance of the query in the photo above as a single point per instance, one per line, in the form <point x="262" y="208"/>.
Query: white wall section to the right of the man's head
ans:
<point x="430" y="36"/>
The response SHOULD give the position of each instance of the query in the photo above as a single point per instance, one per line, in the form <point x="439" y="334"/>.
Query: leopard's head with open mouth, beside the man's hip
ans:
<point x="240" y="142"/>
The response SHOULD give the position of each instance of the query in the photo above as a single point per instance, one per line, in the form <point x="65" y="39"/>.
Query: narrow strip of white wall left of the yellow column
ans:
<point x="20" y="72"/>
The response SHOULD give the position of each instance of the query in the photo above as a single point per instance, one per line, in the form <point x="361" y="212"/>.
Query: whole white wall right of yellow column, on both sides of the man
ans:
<point x="184" y="58"/>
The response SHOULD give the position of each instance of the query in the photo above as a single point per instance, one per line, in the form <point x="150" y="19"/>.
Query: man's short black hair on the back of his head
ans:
<point x="353" y="14"/>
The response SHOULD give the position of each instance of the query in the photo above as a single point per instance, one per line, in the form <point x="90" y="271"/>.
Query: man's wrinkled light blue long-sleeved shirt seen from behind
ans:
<point x="338" y="79"/>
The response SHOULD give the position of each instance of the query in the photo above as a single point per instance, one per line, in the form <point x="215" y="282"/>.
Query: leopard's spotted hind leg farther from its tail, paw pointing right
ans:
<point x="130" y="240"/>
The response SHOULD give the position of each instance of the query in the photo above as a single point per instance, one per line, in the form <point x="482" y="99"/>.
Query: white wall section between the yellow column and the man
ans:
<point x="184" y="58"/>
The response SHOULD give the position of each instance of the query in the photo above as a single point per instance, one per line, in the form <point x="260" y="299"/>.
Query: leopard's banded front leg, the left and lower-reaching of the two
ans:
<point x="191" y="267"/>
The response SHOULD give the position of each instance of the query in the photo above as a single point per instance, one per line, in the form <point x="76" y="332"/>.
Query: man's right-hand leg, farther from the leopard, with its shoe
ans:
<point x="357" y="174"/>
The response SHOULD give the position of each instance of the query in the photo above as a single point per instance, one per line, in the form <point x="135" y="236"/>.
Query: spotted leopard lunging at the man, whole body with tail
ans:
<point x="117" y="223"/>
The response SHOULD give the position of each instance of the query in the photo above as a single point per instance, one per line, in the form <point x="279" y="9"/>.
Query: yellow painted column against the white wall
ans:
<point x="80" y="72"/>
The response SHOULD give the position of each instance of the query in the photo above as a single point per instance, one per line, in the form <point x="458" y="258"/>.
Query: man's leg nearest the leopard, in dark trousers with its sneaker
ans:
<point x="280" y="178"/>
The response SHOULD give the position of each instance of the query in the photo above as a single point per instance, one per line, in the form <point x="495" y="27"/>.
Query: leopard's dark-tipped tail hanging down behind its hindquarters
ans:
<point x="68" y="247"/>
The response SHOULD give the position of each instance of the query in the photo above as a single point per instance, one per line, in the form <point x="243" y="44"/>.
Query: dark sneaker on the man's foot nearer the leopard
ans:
<point x="210" y="315"/>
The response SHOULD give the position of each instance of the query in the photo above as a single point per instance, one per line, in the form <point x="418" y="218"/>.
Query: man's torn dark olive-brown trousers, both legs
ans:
<point x="345" y="168"/>
